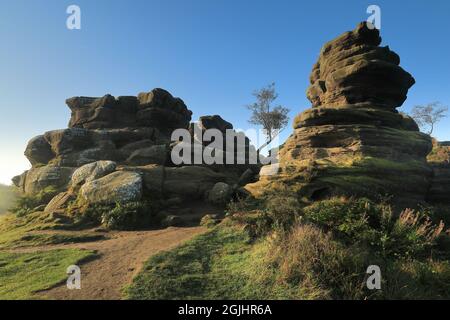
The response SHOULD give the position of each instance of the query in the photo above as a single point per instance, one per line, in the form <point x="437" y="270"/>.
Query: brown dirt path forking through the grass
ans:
<point x="120" y="259"/>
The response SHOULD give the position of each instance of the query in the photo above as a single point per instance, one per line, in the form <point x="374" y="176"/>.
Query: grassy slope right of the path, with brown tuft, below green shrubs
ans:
<point x="304" y="264"/>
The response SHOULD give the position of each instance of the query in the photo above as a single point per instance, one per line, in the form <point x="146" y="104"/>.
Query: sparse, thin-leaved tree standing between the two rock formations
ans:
<point x="272" y="119"/>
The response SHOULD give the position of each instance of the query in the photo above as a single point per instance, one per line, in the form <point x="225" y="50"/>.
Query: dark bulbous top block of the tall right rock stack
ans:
<point x="353" y="69"/>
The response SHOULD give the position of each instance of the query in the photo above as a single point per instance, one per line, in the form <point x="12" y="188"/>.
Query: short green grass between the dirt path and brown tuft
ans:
<point x="214" y="265"/>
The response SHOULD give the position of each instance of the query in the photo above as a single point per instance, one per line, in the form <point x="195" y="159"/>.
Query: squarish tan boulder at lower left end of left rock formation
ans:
<point x="40" y="178"/>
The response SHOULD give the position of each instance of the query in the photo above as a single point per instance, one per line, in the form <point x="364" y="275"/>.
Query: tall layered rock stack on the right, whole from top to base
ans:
<point x="353" y="141"/>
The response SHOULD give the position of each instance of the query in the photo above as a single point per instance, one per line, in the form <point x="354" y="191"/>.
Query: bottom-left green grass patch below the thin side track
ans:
<point x="23" y="274"/>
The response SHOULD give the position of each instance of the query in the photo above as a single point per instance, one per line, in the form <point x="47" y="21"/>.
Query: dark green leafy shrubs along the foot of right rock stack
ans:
<point x="360" y="221"/>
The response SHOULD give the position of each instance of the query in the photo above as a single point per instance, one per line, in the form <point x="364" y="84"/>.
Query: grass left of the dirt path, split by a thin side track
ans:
<point x="22" y="274"/>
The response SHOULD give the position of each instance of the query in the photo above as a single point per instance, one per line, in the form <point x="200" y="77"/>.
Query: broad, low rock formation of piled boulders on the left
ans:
<point x="118" y="150"/>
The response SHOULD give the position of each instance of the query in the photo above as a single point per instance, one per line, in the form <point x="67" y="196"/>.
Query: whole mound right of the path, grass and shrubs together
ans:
<point x="281" y="250"/>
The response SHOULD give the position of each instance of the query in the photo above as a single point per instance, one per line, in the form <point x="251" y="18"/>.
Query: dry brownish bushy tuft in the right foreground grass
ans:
<point x="315" y="266"/>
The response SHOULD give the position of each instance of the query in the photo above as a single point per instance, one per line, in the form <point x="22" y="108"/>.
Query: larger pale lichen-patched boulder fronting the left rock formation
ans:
<point x="119" y="186"/>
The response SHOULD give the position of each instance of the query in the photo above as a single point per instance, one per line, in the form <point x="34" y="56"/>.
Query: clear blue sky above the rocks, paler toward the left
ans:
<point x="211" y="53"/>
